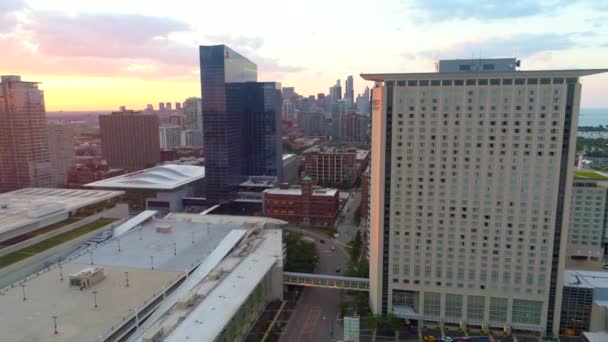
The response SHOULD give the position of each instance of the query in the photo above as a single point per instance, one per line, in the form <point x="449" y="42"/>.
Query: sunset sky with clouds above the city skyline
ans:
<point x="99" y="55"/>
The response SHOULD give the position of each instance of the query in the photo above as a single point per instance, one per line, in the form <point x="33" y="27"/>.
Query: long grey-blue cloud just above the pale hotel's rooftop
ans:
<point x="522" y="45"/>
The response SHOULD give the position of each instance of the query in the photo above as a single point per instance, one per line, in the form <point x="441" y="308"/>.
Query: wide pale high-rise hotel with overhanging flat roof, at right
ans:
<point x="470" y="187"/>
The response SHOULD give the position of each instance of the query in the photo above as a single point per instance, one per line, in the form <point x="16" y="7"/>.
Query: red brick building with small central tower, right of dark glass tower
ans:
<point x="304" y="204"/>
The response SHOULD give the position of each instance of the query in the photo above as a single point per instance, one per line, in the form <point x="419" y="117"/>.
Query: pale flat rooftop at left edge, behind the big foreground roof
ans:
<point x="26" y="206"/>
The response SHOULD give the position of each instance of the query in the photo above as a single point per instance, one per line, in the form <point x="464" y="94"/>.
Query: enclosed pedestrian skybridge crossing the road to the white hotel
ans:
<point x="326" y="281"/>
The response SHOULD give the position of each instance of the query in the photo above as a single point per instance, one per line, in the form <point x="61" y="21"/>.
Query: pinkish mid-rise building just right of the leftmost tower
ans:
<point x="61" y="152"/>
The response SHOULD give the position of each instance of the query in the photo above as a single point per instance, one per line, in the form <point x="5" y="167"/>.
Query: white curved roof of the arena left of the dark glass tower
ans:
<point x="164" y="177"/>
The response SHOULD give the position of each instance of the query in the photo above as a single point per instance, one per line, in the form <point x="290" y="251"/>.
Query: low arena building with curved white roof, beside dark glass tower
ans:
<point x="161" y="188"/>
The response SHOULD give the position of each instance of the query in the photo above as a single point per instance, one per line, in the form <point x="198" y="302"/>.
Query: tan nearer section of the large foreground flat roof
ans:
<point x="77" y="318"/>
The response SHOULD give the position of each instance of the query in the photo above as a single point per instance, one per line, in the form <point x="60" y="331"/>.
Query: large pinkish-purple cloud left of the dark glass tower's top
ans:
<point x="109" y="36"/>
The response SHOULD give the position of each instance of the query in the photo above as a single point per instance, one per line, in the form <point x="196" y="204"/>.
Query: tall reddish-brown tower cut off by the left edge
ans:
<point x="24" y="153"/>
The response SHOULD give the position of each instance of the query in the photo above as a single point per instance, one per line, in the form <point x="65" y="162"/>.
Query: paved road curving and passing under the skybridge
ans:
<point x="318" y="309"/>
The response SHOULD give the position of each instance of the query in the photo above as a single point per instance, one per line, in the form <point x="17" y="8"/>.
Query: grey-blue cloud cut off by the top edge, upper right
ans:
<point x="492" y="9"/>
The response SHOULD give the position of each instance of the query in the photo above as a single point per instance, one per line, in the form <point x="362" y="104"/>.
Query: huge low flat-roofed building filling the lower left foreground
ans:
<point x="184" y="277"/>
